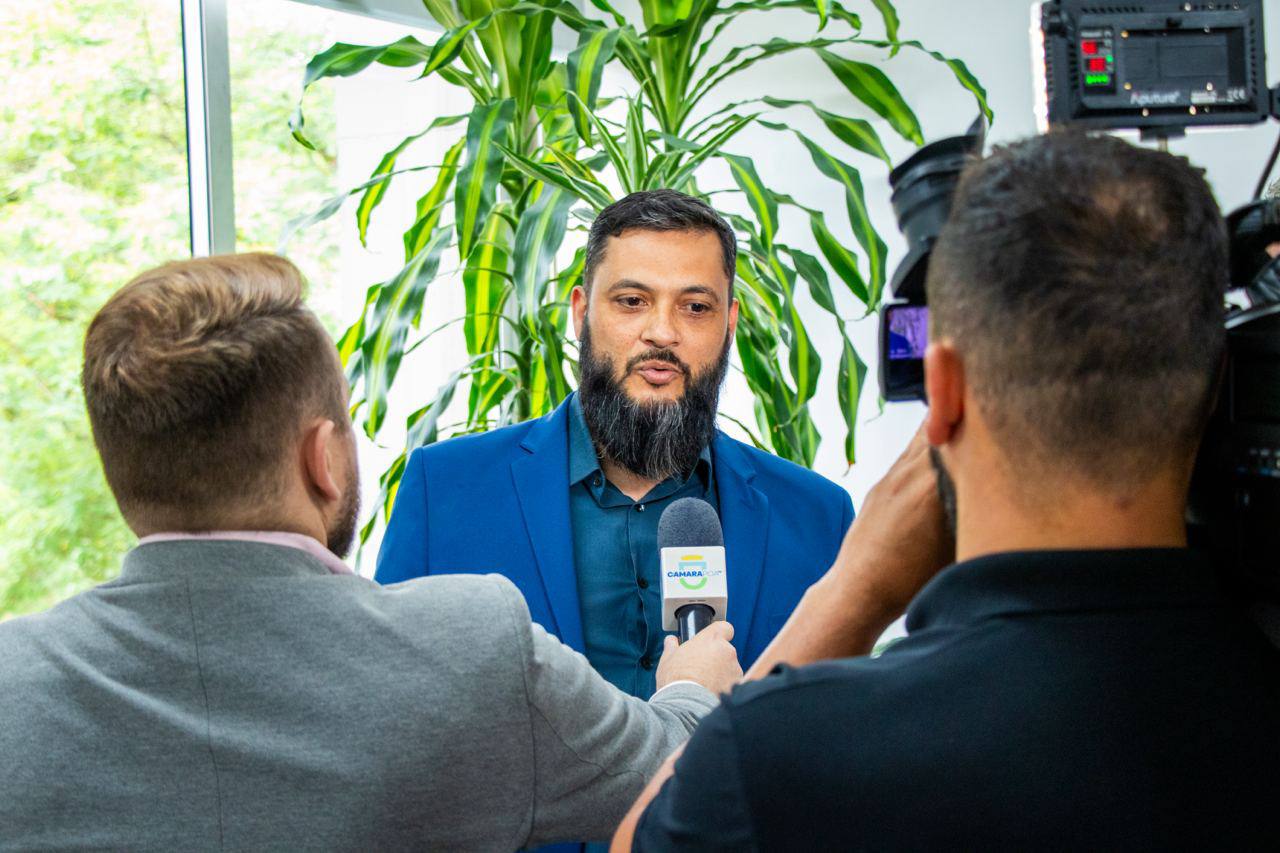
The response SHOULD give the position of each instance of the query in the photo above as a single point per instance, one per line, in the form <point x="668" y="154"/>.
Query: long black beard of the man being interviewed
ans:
<point x="652" y="440"/>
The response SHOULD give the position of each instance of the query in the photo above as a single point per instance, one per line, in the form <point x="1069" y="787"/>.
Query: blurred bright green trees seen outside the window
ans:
<point x="93" y="191"/>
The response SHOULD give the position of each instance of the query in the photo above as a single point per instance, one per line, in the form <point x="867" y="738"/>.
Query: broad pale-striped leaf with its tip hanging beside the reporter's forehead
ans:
<point x="400" y="304"/>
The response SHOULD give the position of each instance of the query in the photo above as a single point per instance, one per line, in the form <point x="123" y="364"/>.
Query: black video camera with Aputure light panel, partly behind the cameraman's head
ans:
<point x="1158" y="67"/>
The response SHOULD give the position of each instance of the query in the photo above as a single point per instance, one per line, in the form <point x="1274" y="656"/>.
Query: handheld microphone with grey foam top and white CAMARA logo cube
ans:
<point x="692" y="545"/>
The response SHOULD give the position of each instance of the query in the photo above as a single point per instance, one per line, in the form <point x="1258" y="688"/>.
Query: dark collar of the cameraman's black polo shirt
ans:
<point x="1031" y="582"/>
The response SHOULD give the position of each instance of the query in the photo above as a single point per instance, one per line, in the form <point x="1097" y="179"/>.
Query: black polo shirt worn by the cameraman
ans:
<point x="1082" y="700"/>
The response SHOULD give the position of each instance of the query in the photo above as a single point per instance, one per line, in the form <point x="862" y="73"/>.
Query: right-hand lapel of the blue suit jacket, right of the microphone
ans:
<point x="746" y="518"/>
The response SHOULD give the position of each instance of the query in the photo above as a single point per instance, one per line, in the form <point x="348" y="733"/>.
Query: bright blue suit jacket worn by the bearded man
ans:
<point x="499" y="503"/>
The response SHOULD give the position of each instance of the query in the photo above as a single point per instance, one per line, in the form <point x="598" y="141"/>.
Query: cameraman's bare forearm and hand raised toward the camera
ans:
<point x="898" y="542"/>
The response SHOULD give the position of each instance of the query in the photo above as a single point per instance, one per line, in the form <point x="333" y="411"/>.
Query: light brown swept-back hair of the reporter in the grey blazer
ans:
<point x="198" y="377"/>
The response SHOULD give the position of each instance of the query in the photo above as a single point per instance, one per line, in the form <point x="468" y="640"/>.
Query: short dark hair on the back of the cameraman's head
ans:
<point x="1082" y="280"/>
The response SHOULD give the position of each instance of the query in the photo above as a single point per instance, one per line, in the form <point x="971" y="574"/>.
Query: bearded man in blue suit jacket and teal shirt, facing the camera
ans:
<point x="568" y="507"/>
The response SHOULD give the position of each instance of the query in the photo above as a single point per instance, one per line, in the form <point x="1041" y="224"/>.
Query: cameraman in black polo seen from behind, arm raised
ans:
<point x="1076" y="679"/>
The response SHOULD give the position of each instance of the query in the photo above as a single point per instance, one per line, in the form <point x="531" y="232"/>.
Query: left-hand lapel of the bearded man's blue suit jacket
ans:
<point x="541" y="475"/>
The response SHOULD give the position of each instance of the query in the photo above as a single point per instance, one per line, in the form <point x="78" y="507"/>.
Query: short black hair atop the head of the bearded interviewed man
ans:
<point x="659" y="211"/>
